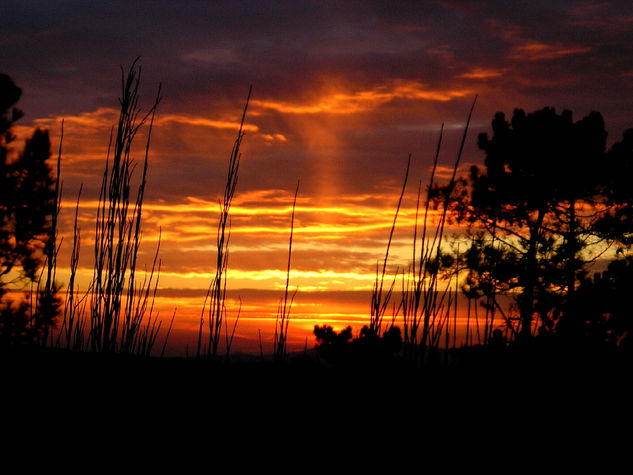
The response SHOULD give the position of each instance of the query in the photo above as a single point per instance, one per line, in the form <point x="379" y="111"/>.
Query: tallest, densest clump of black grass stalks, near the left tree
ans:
<point x="120" y="319"/>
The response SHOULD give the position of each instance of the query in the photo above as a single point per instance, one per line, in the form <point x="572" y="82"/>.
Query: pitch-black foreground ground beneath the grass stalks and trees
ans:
<point x="503" y="410"/>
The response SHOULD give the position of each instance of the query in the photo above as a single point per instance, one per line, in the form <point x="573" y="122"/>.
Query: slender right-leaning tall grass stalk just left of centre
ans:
<point x="215" y="298"/>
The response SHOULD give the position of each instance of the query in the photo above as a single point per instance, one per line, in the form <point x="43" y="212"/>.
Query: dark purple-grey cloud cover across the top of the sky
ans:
<point x="66" y="57"/>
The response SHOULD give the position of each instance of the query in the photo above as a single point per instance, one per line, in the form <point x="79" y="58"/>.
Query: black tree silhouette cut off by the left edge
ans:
<point x="28" y="202"/>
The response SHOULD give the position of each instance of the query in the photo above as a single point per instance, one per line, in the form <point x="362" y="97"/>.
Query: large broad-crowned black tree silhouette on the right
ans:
<point x="542" y="198"/>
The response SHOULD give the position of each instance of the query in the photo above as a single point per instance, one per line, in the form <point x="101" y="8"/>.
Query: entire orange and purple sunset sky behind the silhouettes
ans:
<point x="343" y="92"/>
